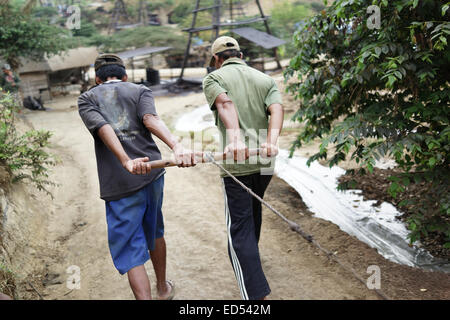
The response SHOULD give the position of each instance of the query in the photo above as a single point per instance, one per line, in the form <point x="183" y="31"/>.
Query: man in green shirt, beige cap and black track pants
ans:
<point x="244" y="98"/>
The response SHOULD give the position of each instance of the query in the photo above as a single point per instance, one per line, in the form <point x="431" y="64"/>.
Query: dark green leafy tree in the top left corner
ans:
<point x="24" y="36"/>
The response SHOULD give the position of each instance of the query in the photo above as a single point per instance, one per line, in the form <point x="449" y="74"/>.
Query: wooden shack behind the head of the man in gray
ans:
<point x="38" y="78"/>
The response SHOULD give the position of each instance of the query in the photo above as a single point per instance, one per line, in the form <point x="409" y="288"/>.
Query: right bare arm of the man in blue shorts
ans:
<point x="184" y="158"/>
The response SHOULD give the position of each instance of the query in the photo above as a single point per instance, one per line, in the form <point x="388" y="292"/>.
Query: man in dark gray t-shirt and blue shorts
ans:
<point x="121" y="117"/>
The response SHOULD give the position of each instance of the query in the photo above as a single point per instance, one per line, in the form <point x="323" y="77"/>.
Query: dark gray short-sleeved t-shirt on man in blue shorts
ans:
<point x="123" y="106"/>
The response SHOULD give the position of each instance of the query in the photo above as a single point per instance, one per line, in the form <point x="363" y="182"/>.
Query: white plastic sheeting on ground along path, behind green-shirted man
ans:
<point x="316" y="184"/>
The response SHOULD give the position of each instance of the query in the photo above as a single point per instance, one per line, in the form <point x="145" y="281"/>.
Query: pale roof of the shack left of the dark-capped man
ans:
<point x="73" y="58"/>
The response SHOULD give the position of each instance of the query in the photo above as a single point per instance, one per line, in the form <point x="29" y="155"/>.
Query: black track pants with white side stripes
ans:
<point x="243" y="219"/>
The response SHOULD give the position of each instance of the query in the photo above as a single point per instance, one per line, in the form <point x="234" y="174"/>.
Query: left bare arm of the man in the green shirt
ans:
<point x="228" y="115"/>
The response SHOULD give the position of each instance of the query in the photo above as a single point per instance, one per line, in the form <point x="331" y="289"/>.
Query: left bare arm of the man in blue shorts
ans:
<point x="137" y="166"/>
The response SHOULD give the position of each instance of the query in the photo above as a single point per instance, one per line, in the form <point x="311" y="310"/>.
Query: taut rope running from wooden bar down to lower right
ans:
<point x="295" y="227"/>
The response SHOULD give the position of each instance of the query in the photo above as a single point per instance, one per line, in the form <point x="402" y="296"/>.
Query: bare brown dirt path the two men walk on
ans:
<point x="195" y="232"/>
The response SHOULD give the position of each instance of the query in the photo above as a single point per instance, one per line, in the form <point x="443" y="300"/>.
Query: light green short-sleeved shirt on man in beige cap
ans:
<point x="252" y="92"/>
